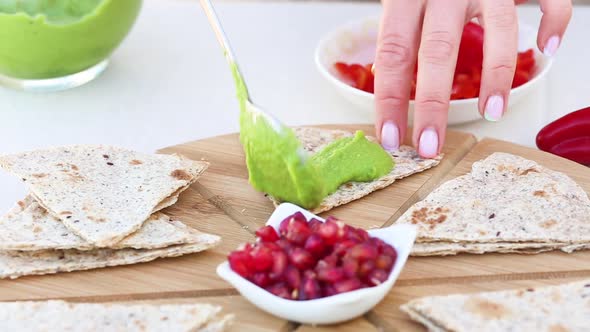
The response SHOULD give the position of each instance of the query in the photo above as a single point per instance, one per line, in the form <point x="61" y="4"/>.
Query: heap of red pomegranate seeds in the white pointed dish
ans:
<point x="307" y="261"/>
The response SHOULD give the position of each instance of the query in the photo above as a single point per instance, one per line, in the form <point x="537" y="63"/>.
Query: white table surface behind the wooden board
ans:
<point x="168" y="82"/>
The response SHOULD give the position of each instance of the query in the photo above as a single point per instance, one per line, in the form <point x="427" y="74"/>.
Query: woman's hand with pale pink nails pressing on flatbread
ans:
<point x="428" y="33"/>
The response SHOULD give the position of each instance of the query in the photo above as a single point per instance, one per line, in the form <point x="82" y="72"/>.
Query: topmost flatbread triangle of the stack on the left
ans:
<point x="102" y="193"/>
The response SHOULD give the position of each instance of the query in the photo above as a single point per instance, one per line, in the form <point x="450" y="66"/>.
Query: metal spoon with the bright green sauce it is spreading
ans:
<point x="278" y="164"/>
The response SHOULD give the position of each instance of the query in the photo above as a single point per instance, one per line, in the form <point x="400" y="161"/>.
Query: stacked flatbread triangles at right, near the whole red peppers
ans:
<point x="505" y="204"/>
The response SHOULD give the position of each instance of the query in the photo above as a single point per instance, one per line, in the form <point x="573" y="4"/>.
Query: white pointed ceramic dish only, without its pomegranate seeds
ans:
<point x="328" y="310"/>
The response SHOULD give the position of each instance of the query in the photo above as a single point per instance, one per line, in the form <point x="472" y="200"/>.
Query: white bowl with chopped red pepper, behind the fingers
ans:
<point x="344" y="57"/>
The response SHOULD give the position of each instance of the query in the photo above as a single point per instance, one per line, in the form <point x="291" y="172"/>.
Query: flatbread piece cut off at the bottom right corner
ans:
<point x="563" y="307"/>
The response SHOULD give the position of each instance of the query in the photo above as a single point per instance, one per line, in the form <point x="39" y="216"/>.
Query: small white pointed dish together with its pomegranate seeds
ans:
<point x="314" y="271"/>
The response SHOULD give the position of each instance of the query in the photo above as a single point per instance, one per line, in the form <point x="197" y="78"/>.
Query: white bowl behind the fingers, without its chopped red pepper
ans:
<point x="355" y="42"/>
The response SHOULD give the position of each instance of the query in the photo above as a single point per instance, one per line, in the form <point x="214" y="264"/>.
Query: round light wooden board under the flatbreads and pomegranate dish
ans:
<point x="223" y="203"/>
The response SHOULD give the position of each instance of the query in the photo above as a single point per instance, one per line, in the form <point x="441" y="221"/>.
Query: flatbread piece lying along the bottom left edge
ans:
<point x="64" y="316"/>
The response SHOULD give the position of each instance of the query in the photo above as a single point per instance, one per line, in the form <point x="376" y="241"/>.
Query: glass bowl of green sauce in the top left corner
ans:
<point x="51" y="45"/>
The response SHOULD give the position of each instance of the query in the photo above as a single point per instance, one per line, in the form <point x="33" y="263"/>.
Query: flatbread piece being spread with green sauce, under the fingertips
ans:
<point x="407" y="162"/>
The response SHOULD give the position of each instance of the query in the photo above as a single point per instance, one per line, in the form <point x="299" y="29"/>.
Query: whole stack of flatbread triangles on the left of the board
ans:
<point x="93" y="206"/>
